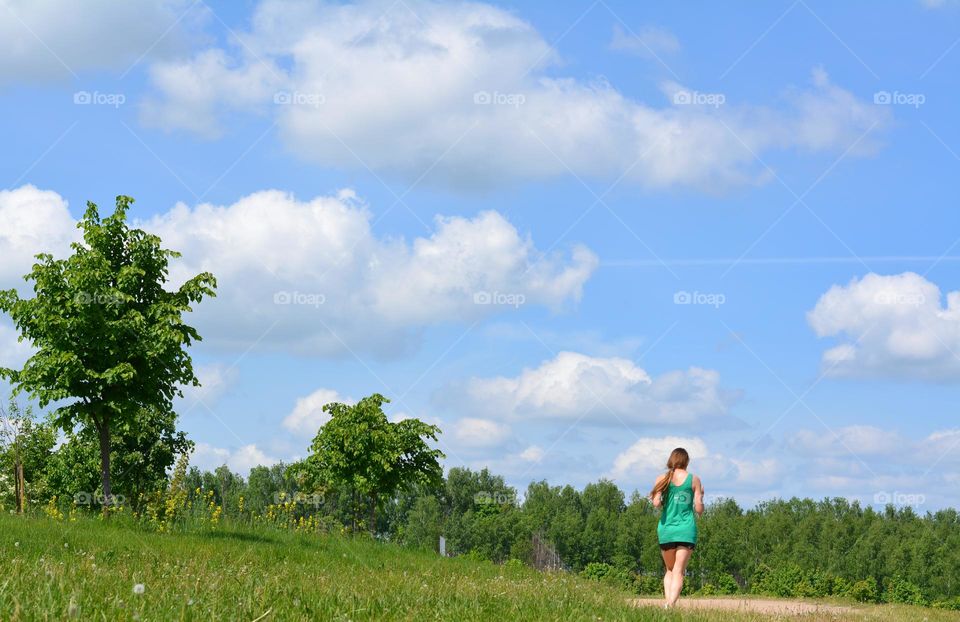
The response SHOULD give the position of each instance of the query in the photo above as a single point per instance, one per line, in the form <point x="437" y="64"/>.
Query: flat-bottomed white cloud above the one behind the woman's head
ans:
<point x="574" y="385"/>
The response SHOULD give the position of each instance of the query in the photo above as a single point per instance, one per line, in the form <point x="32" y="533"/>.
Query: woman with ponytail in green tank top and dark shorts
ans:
<point x="680" y="495"/>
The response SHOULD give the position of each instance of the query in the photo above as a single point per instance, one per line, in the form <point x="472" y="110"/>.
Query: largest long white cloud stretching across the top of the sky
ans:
<point x="463" y="93"/>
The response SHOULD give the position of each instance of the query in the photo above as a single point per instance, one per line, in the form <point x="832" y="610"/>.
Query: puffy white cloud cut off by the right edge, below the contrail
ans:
<point x="897" y="326"/>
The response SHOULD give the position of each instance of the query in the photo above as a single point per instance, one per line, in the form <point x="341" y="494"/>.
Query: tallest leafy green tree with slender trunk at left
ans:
<point x="107" y="334"/>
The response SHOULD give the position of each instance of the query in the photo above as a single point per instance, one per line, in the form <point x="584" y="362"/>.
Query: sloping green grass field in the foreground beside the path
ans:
<point x="87" y="569"/>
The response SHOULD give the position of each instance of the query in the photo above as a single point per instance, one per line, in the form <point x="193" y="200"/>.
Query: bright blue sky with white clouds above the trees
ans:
<point x="723" y="227"/>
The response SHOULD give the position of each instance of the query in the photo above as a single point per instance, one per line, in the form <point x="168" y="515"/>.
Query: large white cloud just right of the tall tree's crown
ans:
<point x="313" y="277"/>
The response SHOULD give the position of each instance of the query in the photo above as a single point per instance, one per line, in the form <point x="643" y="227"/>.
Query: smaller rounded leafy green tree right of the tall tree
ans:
<point x="361" y="450"/>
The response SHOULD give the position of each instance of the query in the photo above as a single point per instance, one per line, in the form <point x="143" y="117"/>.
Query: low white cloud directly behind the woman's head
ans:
<point x="646" y="458"/>
